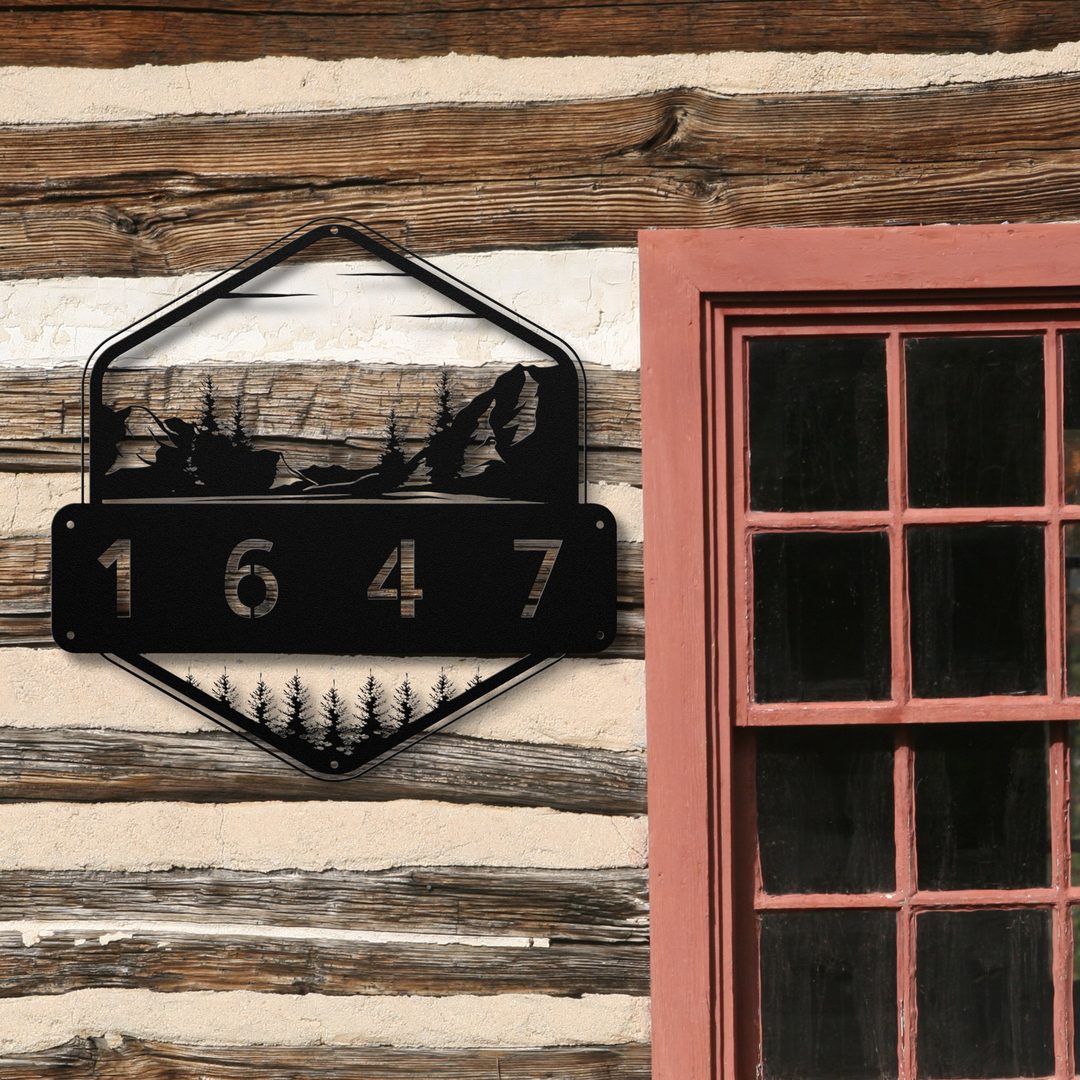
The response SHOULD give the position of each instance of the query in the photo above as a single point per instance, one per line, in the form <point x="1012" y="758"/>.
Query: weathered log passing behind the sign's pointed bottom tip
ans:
<point x="88" y="766"/>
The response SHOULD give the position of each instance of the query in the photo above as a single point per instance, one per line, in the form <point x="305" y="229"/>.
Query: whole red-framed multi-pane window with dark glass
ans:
<point x="863" y="652"/>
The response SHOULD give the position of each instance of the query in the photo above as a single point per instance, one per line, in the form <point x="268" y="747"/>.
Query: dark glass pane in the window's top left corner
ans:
<point x="819" y="424"/>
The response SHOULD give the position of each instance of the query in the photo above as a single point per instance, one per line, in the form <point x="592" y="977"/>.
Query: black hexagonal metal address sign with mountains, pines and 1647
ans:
<point x="198" y="537"/>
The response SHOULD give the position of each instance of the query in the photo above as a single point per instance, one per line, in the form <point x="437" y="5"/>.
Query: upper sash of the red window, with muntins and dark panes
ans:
<point x="1014" y="661"/>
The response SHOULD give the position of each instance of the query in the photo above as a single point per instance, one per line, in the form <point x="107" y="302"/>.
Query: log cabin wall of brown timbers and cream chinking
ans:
<point x="177" y="904"/>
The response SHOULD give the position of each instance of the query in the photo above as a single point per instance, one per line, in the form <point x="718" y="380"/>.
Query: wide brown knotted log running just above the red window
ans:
<point x="170" y="197"/>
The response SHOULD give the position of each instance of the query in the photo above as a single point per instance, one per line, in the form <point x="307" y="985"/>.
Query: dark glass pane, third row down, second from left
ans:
<point x="982" y="806"/>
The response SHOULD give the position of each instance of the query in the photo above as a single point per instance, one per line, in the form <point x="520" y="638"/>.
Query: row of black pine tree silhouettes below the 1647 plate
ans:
<point x="336" y="724"/>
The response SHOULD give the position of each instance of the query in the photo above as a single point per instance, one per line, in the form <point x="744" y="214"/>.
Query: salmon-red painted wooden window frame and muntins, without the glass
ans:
<point x="703" y="292"/>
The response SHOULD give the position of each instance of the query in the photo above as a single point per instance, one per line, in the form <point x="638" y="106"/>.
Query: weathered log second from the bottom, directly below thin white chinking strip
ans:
<point x="178" y="963"/>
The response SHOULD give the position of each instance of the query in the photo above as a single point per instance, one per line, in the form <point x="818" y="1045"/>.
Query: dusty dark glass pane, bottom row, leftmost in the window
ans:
<point x="829" y="995"/>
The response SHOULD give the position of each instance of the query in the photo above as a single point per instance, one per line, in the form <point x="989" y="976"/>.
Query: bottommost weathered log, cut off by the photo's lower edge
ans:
<point x="138" y="1060"/>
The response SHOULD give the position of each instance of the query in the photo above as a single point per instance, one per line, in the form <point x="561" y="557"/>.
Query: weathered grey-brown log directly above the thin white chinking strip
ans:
<point x="607" y="906"/>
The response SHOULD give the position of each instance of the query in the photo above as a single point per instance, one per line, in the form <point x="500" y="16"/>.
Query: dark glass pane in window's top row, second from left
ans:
<point x="976" y="430"/>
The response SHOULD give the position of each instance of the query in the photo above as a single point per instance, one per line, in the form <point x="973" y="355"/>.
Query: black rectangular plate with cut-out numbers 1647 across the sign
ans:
<point x="334" y="578"/>
